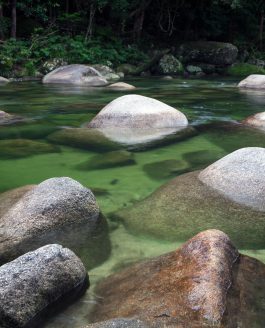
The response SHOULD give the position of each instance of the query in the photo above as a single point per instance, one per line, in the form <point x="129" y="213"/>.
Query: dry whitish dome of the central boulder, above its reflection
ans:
<point x="135" y="111"/>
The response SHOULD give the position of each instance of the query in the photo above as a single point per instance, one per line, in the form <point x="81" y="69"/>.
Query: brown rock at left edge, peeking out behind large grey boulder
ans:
<point x="10" y="197"/>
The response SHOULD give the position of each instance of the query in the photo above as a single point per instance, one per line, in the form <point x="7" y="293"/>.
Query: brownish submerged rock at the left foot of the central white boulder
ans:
<point x="91" y="139"/>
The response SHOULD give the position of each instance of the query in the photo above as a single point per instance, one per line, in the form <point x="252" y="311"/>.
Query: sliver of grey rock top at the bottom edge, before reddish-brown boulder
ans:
<point x="119" y="323"/>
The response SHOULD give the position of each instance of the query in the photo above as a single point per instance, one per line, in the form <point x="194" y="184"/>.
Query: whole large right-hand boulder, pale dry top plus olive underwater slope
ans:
<point x="186" y="205"/>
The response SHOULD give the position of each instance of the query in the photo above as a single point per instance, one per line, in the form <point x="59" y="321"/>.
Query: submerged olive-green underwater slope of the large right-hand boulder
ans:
<point x="184" y="206"/>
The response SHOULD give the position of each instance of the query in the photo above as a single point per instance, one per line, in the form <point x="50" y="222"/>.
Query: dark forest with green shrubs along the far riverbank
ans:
<point x="113" y="31"/>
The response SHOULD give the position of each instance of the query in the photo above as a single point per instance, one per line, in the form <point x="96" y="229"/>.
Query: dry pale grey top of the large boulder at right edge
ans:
<point x="239" y="176"/>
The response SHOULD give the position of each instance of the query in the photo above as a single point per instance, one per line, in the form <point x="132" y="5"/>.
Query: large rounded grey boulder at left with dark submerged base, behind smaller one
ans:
<point x="58" y="210"/>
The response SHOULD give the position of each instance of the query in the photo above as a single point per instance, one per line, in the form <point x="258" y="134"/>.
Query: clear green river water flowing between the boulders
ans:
<point x="204" y="102"/>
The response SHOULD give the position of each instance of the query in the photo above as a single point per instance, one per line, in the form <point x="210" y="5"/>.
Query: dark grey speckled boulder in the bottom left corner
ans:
<point x="37" y="282"/>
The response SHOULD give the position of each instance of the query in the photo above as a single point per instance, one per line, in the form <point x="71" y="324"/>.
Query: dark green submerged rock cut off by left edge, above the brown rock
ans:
<point x="17" y="148"/>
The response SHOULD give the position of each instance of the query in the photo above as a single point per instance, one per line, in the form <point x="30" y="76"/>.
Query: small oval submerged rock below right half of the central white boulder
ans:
<point x="165" y="169"/>
